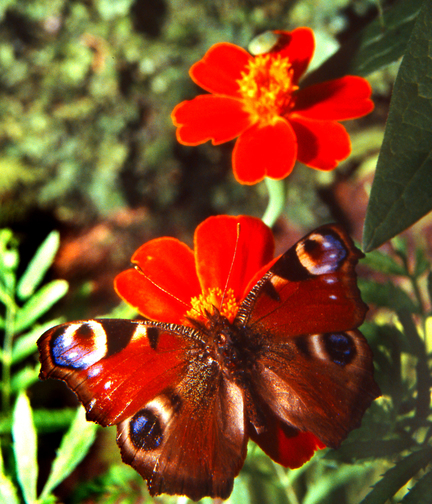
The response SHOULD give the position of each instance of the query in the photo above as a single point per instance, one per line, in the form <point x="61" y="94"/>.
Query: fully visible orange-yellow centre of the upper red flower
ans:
<point x="267" y="88"/>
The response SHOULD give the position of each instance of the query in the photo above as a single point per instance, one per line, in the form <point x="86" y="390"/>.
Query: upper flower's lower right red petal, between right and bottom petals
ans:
<point x="321" y="144"/>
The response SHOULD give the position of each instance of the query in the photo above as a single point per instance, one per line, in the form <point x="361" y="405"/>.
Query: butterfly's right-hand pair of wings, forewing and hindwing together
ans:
<point x="315" y="370"/>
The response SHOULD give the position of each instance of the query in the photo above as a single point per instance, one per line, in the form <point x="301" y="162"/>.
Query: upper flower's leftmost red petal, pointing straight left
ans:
<point x="207" y="117"/>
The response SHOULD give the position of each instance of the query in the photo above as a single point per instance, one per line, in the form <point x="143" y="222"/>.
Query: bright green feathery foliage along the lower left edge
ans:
<point x="17" y="348"/>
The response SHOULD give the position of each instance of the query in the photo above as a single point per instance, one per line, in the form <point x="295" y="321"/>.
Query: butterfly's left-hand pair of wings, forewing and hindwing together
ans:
<point x="181" y="424"/>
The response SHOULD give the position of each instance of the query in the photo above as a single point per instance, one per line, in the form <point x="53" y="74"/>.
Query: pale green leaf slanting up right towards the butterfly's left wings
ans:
<point x="73" y="448"/>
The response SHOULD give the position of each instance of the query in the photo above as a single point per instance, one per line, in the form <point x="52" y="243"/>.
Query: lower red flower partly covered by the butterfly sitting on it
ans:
<point x="174" y="283"/>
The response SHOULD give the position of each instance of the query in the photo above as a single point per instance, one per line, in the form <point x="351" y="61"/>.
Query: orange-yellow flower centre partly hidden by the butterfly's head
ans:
<point x="205" y="305"/>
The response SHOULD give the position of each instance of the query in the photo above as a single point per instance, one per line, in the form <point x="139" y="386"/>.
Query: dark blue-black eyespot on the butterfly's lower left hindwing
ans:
<point x="145" y="430"/>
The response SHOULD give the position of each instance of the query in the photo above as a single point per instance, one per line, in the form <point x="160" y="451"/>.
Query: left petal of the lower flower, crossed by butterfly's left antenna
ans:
<point x="167" y="283"/>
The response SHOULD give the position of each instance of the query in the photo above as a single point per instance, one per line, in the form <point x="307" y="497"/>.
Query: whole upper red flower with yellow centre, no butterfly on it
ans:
<point x="258" y="100"/>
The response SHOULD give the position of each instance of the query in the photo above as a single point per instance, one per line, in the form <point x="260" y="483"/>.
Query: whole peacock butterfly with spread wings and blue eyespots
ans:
<point x="290" y="365"/>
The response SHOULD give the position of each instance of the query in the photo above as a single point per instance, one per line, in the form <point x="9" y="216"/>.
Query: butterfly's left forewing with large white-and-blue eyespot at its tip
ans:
<point x="111" y="365"/>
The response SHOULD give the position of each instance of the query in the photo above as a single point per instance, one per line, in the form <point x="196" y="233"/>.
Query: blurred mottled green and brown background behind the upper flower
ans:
<point x="88" y="146"/>
